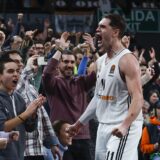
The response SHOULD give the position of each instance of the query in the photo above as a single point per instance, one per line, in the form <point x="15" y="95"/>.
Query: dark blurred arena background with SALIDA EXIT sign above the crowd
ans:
<point x="142" y="16"/>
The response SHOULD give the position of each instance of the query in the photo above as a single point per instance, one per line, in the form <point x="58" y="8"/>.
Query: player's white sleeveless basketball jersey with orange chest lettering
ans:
<point x="111" y="91"/>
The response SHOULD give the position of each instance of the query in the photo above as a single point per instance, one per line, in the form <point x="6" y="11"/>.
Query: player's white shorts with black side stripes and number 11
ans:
<point x="109" y="147"/>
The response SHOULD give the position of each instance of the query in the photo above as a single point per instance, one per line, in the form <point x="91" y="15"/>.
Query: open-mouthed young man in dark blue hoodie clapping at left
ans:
<point x="13" y="112"/>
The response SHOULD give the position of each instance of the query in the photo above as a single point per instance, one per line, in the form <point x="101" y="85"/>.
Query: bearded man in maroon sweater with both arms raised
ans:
<point x="67" y="98"/>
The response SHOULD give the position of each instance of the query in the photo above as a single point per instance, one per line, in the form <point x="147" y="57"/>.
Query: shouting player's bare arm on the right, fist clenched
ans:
<point x="129" y="68"/>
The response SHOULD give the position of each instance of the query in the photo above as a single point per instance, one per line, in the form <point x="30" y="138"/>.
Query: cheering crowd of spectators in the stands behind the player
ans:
<point x="63" y="70"/>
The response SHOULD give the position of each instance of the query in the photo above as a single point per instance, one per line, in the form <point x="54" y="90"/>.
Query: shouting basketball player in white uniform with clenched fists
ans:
<point x="118" y="96"/>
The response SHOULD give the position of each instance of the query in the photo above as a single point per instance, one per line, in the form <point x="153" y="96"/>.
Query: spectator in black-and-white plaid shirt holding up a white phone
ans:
<point x="34" y="148"/>
